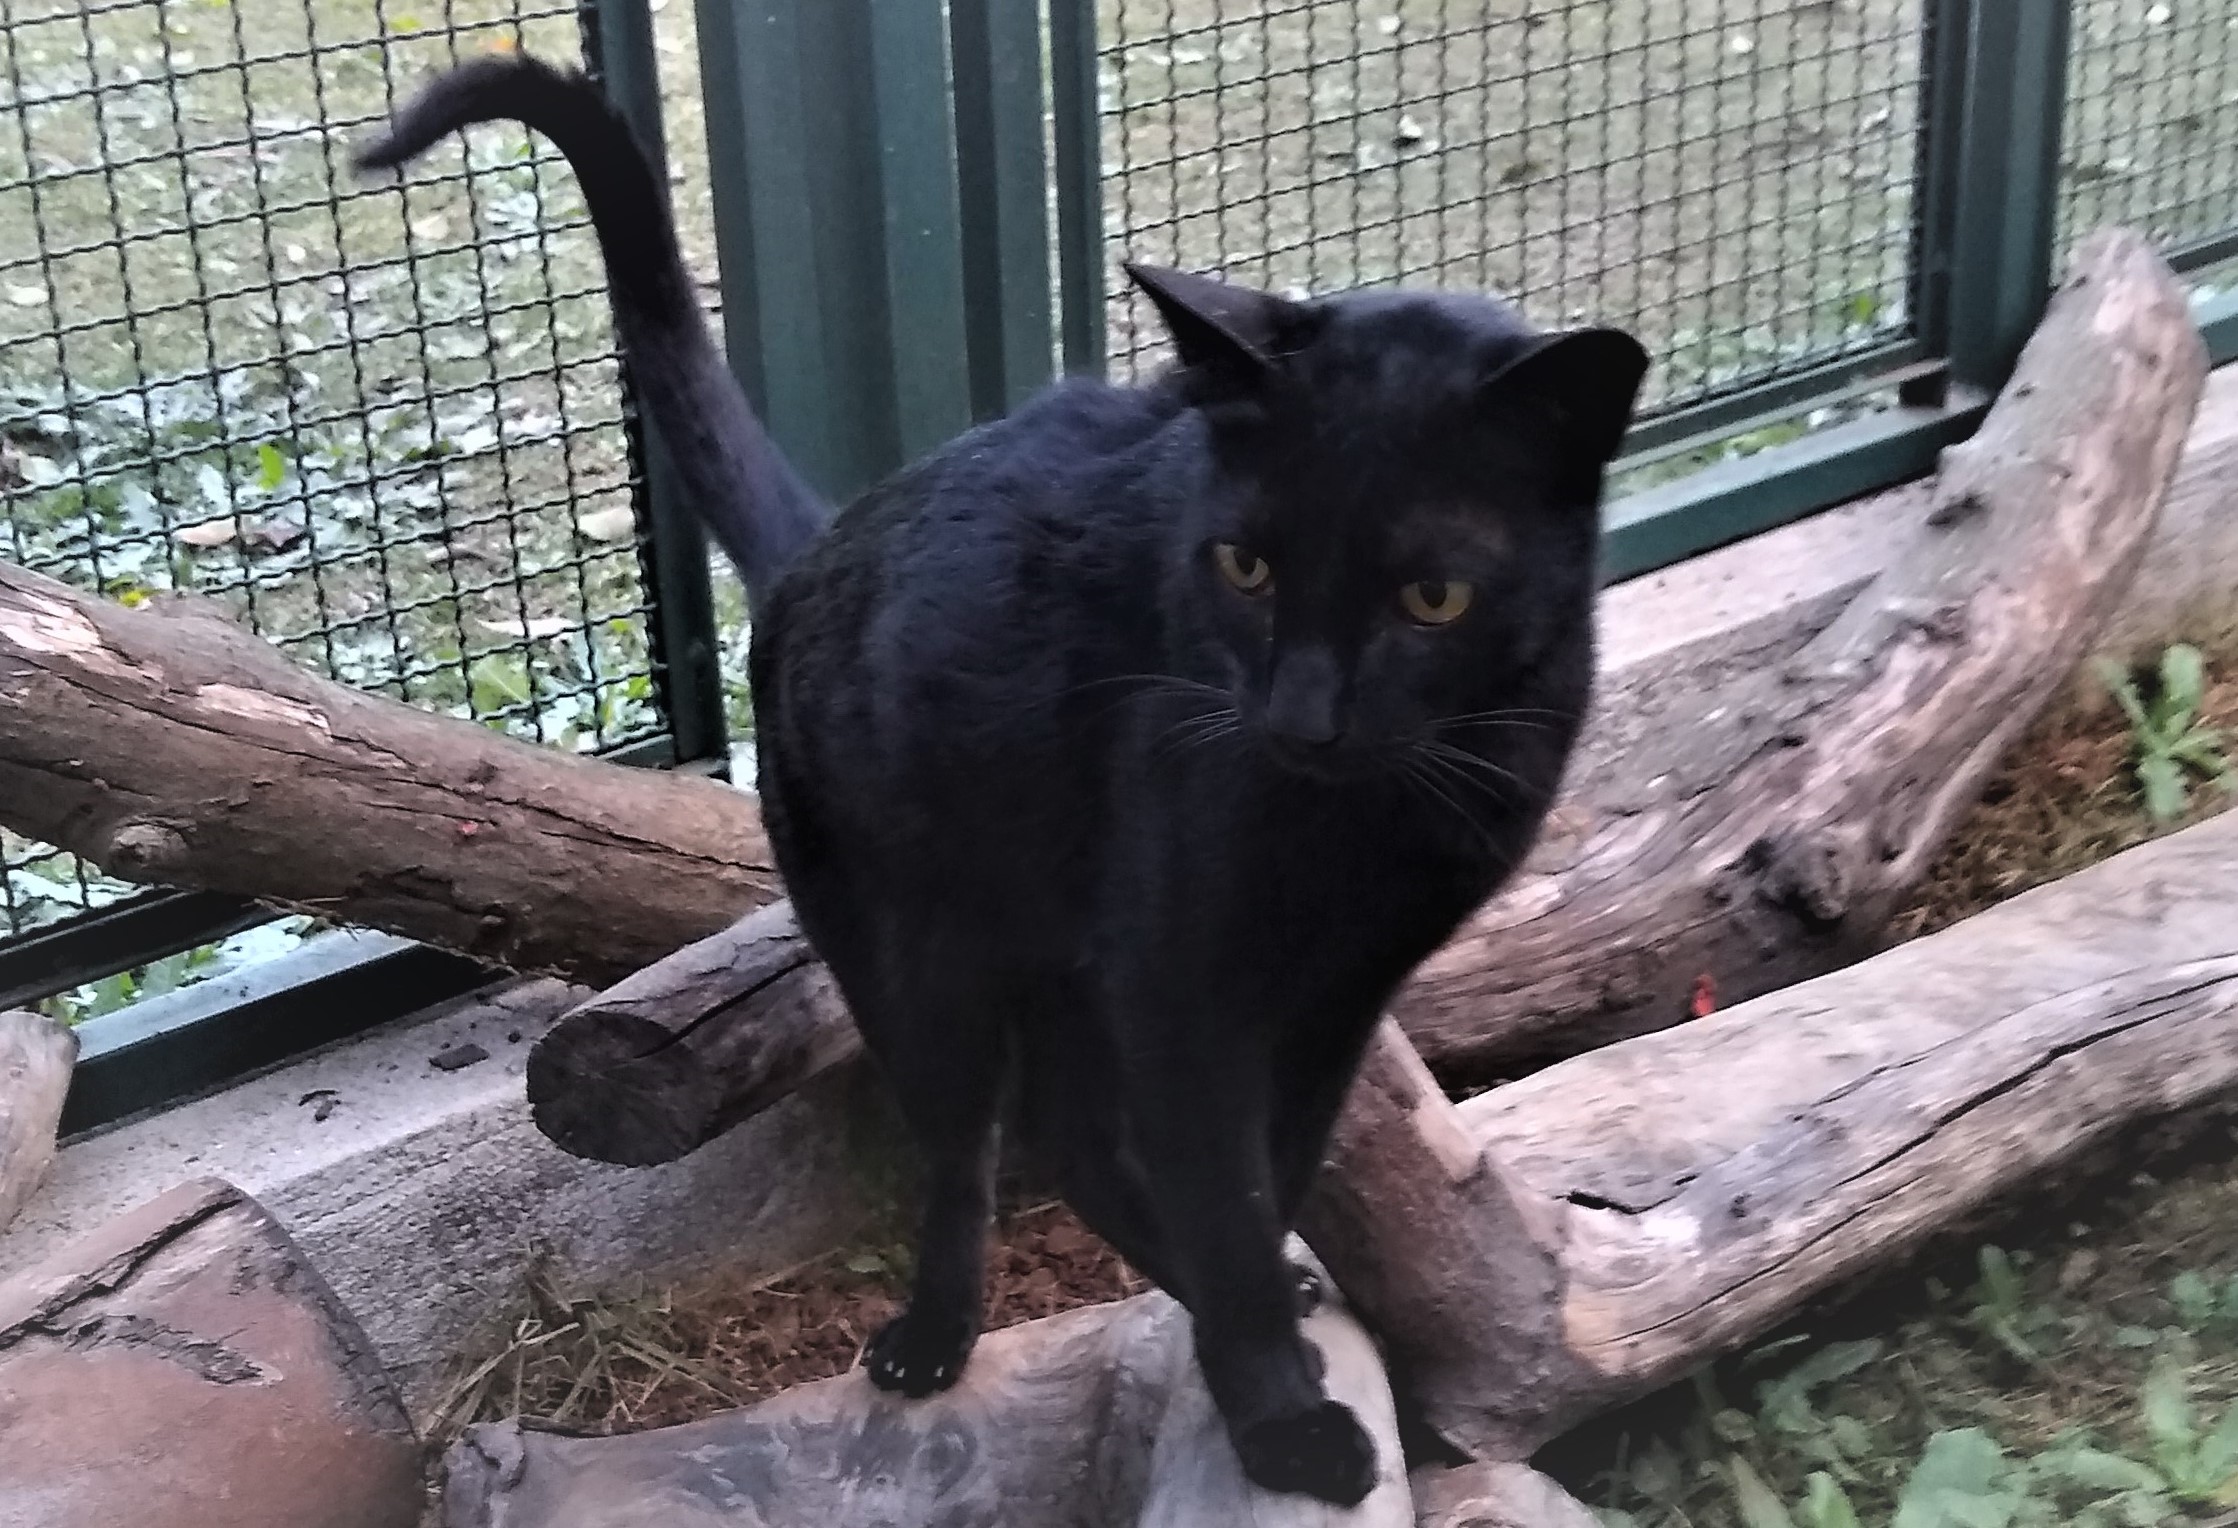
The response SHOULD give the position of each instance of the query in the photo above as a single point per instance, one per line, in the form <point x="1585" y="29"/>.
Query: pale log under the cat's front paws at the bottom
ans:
<point x="1091" y="1419"/>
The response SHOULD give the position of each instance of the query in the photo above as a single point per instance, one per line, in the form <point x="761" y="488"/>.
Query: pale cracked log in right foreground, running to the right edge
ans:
<point x="1586" y="1236"/>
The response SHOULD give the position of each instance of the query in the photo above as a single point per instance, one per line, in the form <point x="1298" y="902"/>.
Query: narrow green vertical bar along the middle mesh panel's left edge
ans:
<point x="1078" y="149"/>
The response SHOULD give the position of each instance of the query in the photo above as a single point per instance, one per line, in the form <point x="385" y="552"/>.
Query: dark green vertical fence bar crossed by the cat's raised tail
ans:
<point x="673" y="549"/>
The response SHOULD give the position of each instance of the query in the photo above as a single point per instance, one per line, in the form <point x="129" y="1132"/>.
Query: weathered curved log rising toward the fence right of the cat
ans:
<point x="1762" y="833"/>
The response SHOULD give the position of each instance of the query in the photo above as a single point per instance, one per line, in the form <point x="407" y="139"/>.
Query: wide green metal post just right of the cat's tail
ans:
<point x="838" y="227"/>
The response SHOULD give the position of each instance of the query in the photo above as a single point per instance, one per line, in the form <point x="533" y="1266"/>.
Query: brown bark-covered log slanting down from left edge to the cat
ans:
<point x="171" y="746"/>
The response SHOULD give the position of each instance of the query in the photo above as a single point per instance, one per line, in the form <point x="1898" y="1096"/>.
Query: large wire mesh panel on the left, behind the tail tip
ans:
<point x="379" y="424"/>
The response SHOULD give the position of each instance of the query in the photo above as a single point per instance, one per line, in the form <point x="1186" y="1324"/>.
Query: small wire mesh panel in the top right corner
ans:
<point x="2152" y="126"/>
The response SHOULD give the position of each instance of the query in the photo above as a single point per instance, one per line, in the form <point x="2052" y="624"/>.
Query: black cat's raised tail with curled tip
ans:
<point x="733" y="475"/>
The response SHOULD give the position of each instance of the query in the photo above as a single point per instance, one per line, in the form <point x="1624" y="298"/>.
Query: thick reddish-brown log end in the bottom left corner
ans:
<point x="187" y="1368"/>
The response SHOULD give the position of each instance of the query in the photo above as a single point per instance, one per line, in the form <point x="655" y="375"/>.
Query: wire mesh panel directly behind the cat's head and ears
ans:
<point x="1733" y="180"/>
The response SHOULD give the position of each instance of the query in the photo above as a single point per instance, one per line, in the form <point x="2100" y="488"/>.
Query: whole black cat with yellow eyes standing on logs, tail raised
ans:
<point x="1060" y="802"/>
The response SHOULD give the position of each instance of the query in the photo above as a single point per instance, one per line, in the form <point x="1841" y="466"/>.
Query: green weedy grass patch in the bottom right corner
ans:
<point x="2085" y="1370"/>
